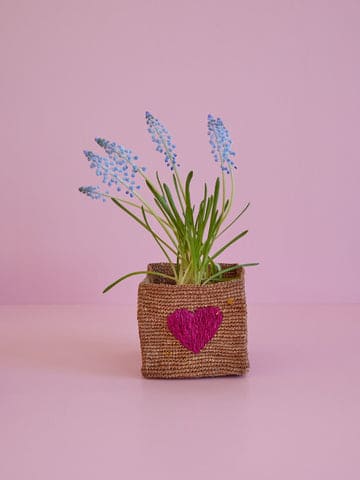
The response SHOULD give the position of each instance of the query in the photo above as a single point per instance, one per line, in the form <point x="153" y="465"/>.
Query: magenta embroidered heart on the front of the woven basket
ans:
<point x="195" y="329"/>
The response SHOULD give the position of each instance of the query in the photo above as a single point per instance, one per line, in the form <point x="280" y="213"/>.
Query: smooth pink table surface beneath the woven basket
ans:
<point x="73" y="404"/>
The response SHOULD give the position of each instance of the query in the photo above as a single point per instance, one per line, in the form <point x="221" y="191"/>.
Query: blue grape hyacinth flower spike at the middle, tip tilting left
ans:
<point x="163" y="140"/>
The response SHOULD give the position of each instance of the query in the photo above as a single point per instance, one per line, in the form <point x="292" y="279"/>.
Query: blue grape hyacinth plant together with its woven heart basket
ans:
<point x="191" y="309"/>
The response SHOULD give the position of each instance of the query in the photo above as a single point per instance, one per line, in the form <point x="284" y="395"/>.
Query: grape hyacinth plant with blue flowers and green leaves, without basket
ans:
<point x="185" y="233"/>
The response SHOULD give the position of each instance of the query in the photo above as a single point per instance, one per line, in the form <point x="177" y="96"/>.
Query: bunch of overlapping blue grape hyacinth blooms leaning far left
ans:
<point x="118" y="169"/>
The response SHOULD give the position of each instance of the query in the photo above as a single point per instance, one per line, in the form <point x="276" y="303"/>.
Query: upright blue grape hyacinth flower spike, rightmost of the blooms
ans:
<point x="220" y="142"/>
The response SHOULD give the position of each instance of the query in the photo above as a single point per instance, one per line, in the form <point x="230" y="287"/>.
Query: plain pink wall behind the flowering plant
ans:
<point x="285" y="77"/>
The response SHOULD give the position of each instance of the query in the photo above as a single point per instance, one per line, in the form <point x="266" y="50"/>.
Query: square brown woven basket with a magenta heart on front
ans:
<point x="192" y="330"/>
